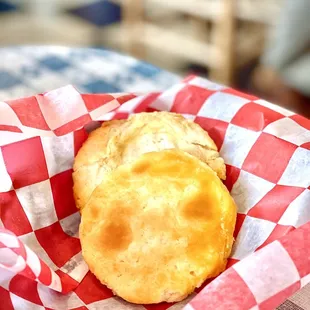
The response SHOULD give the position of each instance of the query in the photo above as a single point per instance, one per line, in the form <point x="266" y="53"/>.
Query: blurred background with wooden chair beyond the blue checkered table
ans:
<point x="258" y="46"/>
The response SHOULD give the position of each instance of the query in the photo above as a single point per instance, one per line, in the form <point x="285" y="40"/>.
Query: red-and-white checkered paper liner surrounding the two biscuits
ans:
<point x="267" y="152"/>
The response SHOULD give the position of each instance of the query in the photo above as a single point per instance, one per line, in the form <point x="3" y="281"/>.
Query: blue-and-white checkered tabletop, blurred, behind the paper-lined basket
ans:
<point x="29" y="70"/>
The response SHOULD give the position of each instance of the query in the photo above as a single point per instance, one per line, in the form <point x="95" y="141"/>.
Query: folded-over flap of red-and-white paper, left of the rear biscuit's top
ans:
<point x="54" y="109"/>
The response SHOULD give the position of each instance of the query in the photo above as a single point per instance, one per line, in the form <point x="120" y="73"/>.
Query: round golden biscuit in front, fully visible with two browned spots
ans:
<point x="155" y="229"/>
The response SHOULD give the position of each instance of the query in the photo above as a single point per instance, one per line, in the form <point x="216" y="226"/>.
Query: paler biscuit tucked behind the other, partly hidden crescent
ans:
<point x="118" y="142"/>
